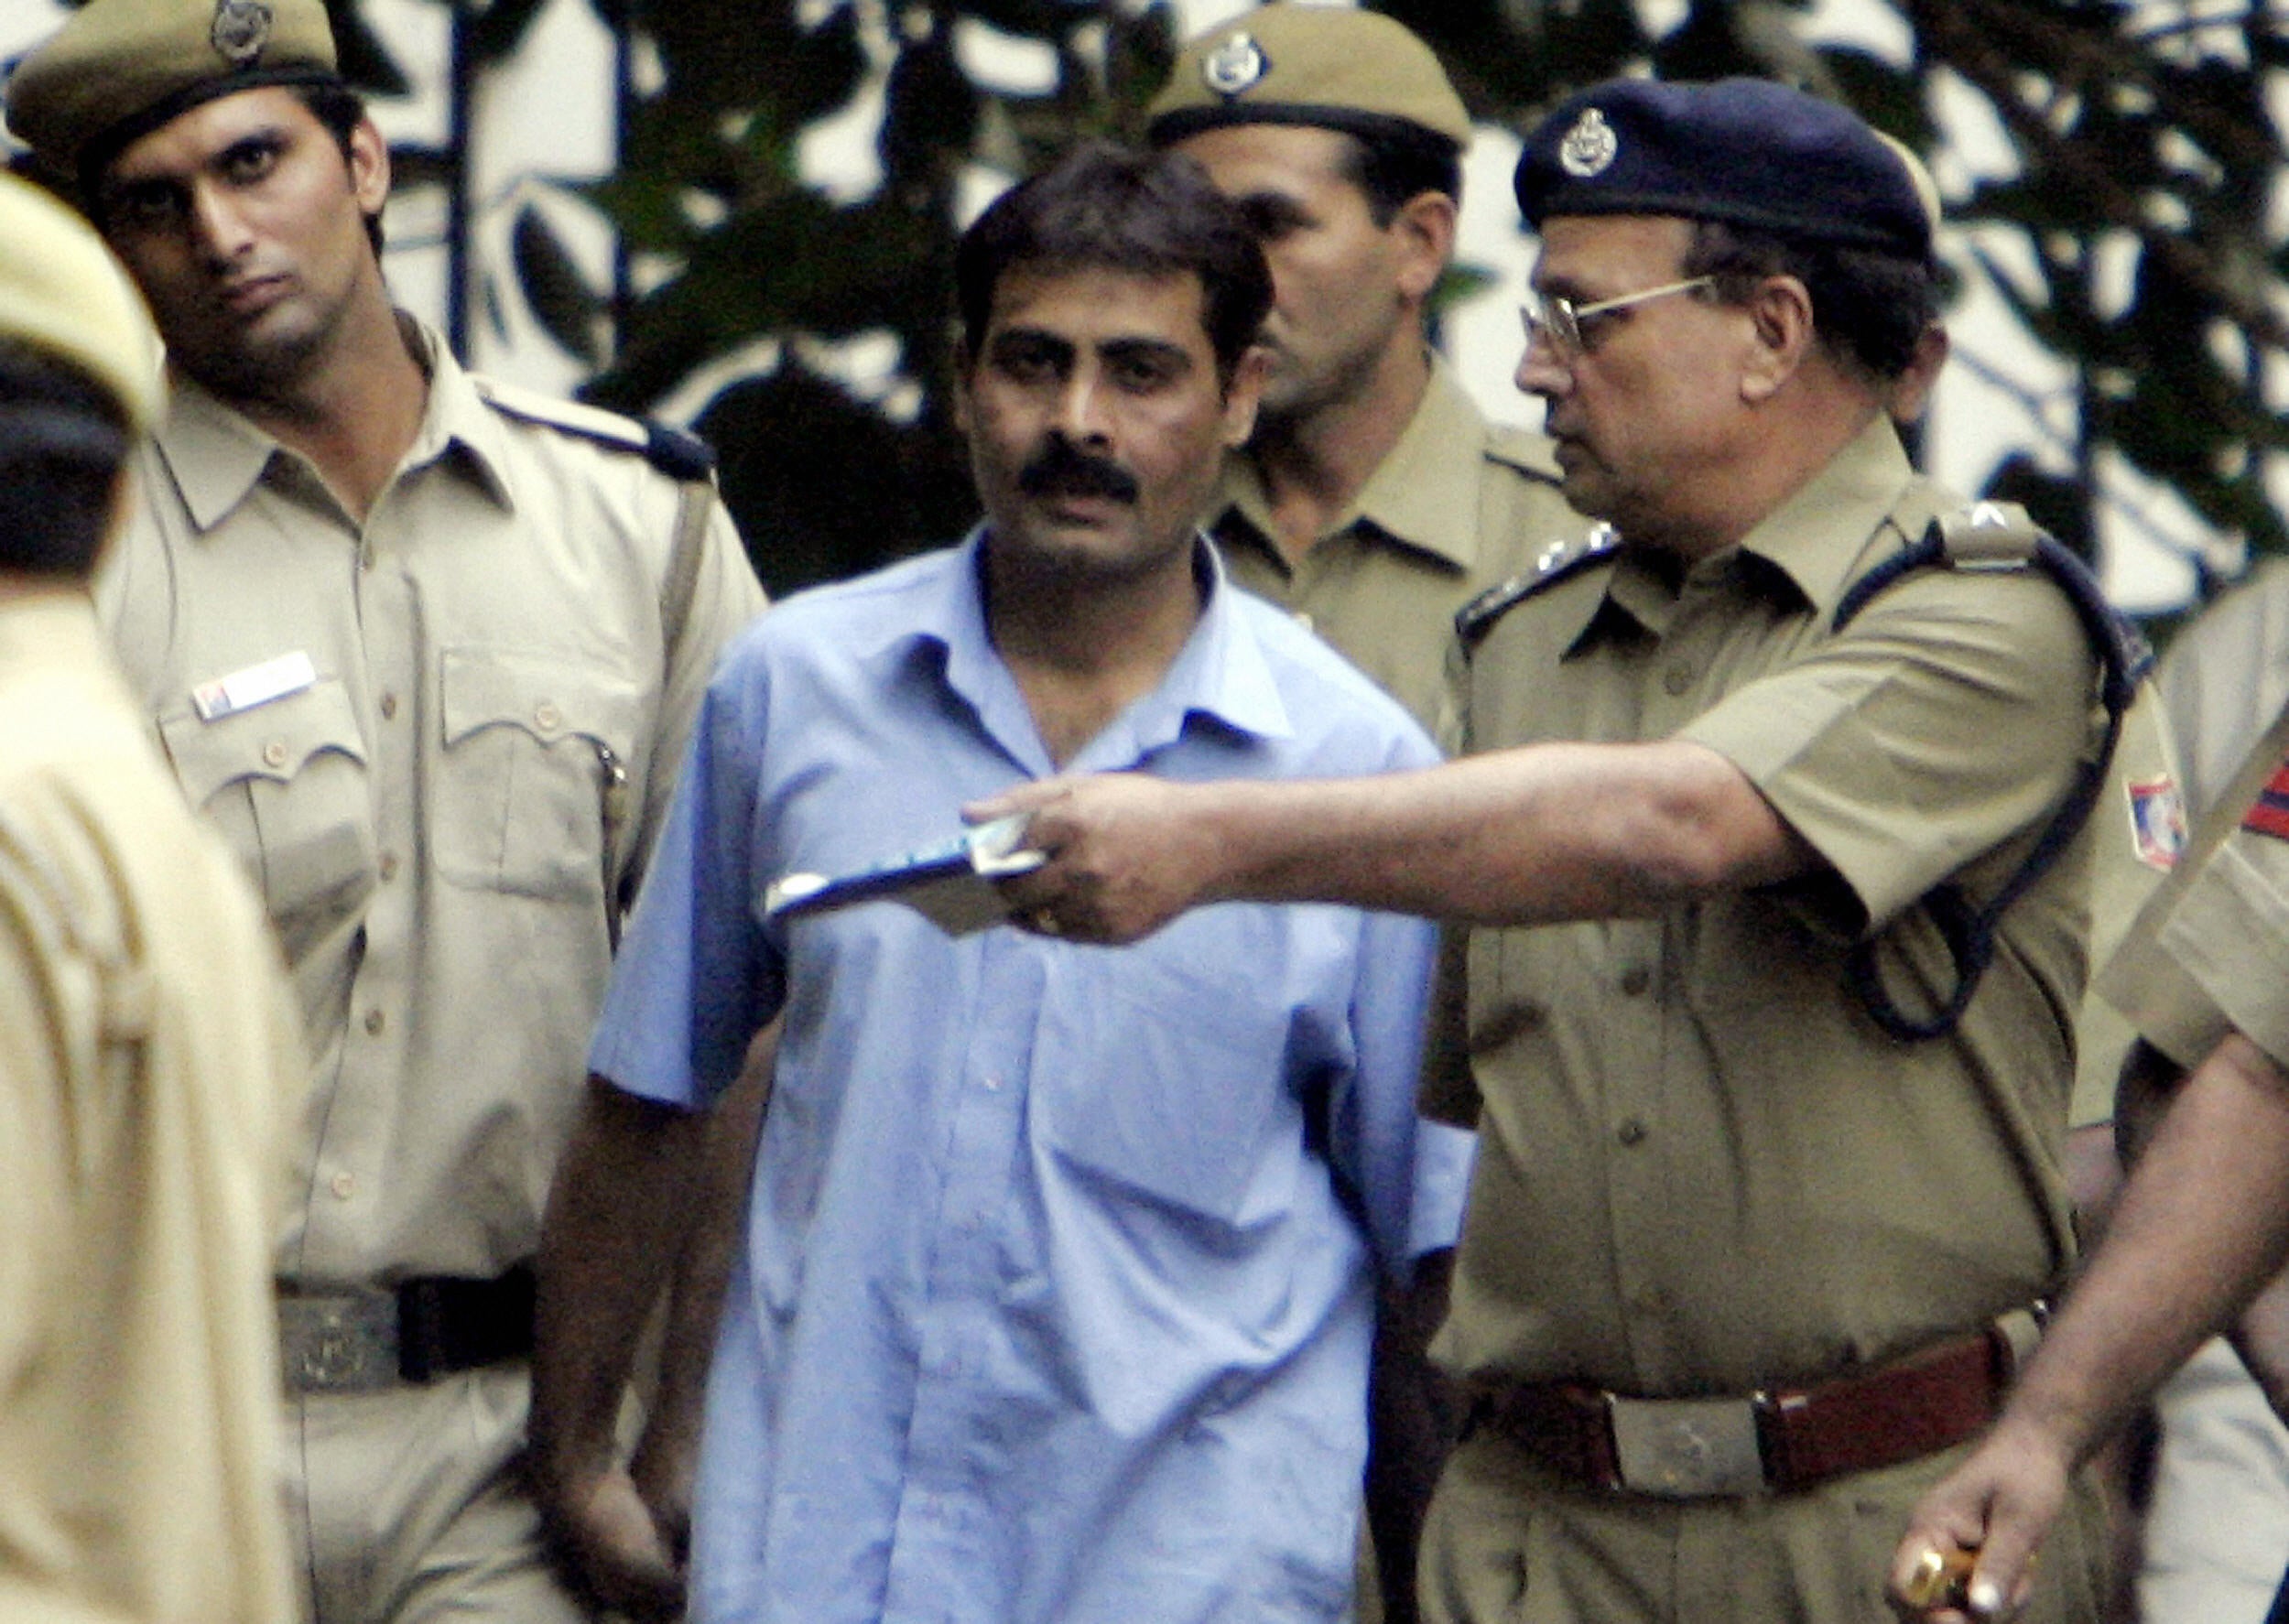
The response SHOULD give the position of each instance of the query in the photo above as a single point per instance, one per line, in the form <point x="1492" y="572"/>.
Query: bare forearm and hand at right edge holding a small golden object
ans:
<point x="2201" y="1227"/>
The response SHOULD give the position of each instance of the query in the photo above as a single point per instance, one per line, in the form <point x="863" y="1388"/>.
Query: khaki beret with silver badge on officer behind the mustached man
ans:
<point x="1331" y="67"/>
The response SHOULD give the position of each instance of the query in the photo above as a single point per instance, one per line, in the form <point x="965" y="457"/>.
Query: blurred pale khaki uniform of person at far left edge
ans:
<point x="150" y="1072"/>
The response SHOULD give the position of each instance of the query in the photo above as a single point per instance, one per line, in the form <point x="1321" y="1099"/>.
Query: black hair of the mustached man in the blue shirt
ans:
<point x="1114" y="209"/>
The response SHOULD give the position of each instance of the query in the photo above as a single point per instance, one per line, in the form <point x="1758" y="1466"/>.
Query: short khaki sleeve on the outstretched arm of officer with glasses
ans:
<point x="1947" y="719"/>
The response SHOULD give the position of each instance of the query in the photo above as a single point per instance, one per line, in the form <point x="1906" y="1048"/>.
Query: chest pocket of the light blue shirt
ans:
<point x="1166" y="1083"/>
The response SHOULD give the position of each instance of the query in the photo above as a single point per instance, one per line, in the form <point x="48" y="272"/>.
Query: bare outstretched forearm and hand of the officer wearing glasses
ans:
<point x="1530" y="836"/>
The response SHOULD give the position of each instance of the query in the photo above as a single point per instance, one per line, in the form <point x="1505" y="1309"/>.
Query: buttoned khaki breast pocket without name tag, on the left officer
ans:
<point x="525" y="781"/>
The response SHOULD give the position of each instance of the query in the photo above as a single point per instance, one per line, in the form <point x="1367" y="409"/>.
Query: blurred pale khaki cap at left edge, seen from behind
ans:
<point x="68" y="298"/>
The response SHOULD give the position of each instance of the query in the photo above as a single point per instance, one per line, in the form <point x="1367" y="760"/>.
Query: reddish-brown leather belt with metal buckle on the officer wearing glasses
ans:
<point x="1768" y="1442"/>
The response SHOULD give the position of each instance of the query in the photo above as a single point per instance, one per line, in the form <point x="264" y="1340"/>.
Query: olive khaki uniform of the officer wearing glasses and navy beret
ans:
<point x="1704" y="1170"/>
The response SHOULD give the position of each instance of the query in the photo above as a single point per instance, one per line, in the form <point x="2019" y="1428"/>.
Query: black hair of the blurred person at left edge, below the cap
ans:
<point x="63" y="440"/>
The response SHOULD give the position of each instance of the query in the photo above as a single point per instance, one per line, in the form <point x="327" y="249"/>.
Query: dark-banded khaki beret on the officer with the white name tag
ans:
<point x="118" y="70"/>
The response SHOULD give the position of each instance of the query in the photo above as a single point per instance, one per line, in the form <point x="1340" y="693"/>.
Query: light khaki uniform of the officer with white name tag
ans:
<point x="441" y="742"/>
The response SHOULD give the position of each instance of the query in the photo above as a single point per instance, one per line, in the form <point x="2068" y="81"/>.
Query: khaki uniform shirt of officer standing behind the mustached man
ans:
<point x="1455" y="509"/>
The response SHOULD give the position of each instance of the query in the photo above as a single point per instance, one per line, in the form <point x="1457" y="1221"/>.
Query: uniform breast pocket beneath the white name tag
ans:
<point x="287" y="786"/>
